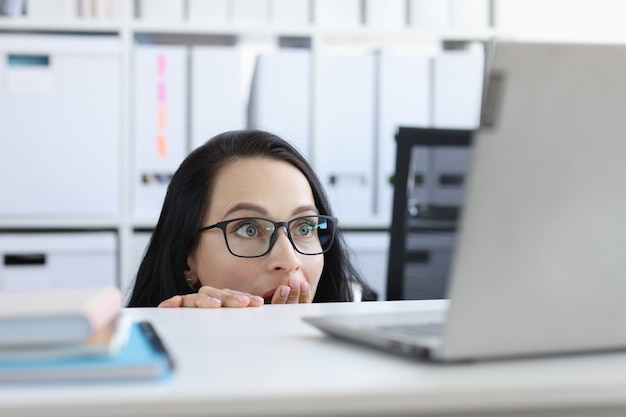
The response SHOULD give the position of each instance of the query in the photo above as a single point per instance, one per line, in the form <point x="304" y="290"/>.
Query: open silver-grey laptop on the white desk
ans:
<point x="540" y="259"/>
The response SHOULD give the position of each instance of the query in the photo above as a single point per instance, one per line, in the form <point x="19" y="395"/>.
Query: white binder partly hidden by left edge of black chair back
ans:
<point x="403" y="100"/>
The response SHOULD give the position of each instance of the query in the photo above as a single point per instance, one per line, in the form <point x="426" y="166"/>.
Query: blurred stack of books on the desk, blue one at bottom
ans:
<point x="75" y="335"/>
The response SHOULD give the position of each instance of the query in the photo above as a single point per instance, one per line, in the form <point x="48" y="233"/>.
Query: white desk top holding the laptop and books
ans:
<point x="267" y="362"/>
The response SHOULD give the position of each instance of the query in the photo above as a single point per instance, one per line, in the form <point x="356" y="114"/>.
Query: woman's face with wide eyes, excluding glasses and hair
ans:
<point x="256" y="187"/>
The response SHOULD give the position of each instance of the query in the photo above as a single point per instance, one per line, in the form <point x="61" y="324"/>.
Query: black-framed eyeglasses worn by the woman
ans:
<point x="253" y="237"/>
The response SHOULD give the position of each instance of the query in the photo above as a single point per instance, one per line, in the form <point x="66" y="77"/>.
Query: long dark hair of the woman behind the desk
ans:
<point x="161" y="273"/>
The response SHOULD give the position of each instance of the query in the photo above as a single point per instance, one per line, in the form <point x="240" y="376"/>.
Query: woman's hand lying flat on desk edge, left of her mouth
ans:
<point x="209" y="297"/>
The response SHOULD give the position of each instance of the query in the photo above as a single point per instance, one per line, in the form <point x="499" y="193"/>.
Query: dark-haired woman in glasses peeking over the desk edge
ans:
<point x="245" y="222"/>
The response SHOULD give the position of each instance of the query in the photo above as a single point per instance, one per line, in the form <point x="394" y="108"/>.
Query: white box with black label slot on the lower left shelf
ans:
<point x="46" y="261"/>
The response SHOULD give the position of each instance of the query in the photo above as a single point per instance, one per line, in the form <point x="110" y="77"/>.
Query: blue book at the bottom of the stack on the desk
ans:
<point x="143" y="356"/>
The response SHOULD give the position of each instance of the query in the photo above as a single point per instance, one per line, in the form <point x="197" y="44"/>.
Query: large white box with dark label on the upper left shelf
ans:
<point x="60" y="122"/>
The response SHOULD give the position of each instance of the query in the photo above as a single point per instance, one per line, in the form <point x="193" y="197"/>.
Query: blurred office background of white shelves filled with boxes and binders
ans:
<point x="101" y="99"/>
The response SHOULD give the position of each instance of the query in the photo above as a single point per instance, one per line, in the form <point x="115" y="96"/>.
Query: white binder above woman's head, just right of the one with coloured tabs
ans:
<point x="217" y="100"/>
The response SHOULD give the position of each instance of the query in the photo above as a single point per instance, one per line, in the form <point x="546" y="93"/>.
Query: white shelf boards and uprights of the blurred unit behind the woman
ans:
<point x="127" y="29"/>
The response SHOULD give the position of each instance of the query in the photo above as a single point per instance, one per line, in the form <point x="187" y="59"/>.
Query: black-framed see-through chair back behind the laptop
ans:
<point x="431" y="165"/>
